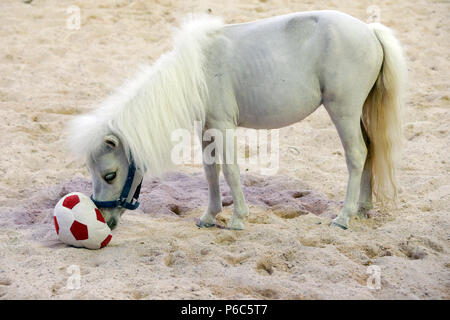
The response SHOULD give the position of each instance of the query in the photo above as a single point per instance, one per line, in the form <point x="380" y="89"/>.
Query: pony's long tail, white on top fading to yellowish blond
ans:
<point x="382" y="116"/>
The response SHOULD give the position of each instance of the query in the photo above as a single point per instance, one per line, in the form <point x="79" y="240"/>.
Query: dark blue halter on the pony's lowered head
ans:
<point x="122" y="201"/>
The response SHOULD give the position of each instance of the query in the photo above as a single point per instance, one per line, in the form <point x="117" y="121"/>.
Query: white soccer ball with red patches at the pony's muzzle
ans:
<point x="79" y="223"/>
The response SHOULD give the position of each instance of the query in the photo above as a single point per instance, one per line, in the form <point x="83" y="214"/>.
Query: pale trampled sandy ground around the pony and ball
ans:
<point x="49" y="73"/>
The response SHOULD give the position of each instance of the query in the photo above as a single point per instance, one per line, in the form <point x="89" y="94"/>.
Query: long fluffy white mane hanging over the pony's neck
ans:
<point x="168" y="95"/>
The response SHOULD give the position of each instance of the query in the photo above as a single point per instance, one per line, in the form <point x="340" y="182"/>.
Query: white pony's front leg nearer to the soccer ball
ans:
<point x="212" y="172"/>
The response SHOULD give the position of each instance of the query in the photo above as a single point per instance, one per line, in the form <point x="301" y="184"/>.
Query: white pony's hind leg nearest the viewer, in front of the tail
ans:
<point x="346" y="117"/>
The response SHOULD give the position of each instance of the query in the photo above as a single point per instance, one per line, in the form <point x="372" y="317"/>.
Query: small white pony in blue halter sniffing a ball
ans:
<point x="264" y="74"/>
